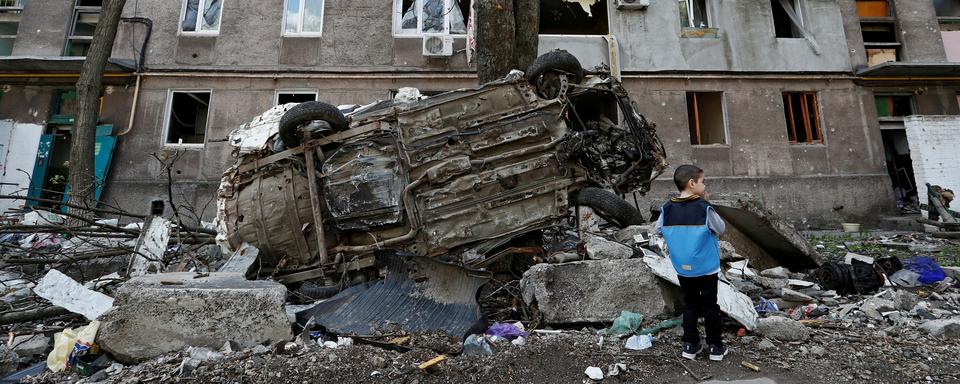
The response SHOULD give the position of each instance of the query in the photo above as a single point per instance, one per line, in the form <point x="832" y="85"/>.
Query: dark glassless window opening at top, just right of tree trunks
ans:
<point x="562" y="17"/>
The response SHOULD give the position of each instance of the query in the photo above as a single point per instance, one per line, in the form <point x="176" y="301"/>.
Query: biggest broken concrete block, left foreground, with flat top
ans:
<point x="160" y="313"/>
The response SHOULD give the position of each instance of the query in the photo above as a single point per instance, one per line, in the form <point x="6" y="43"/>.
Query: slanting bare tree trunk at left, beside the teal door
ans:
<point x="83" y="136"/>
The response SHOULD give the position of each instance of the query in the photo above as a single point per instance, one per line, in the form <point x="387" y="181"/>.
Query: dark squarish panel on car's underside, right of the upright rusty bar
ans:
<point x="364" y="184"/>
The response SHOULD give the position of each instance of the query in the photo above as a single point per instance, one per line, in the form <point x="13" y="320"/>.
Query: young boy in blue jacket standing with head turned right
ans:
<point x="690" y="227"/>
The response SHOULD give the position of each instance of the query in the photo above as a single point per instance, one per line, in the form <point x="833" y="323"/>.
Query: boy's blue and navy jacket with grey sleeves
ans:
<point x="690" y="227"/>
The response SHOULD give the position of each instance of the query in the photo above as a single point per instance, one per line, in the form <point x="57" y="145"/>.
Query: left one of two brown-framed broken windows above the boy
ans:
<point x="705" y="117"/>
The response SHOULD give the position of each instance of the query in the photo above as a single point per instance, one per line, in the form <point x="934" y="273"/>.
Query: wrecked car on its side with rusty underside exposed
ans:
<point x="318" y="188"/>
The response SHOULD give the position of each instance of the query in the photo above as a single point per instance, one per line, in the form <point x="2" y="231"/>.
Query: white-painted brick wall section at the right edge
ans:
<point x="935" y="150"/>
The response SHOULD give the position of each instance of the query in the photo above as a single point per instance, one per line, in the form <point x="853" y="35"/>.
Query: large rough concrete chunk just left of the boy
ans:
<point x="594" y="291"/>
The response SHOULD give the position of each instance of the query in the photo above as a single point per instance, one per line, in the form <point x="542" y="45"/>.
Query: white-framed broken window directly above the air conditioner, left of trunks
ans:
<point x="416" y="17"/>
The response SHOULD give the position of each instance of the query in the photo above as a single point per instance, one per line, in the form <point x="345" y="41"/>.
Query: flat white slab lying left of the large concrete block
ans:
<point x="64" y="292"/>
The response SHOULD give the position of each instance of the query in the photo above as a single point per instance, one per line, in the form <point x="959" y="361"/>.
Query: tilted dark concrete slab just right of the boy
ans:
<point x="763" y="237"/>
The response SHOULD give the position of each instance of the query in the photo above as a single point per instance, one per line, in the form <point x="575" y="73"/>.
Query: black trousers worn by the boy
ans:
<point x="700" y="300"/>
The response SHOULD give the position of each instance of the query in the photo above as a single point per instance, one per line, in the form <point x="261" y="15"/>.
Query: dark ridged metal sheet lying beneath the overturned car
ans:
<point x="419" y="295"/>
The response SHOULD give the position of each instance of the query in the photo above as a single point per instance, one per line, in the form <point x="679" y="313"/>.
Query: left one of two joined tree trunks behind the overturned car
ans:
<point x="495" y="39"/>
